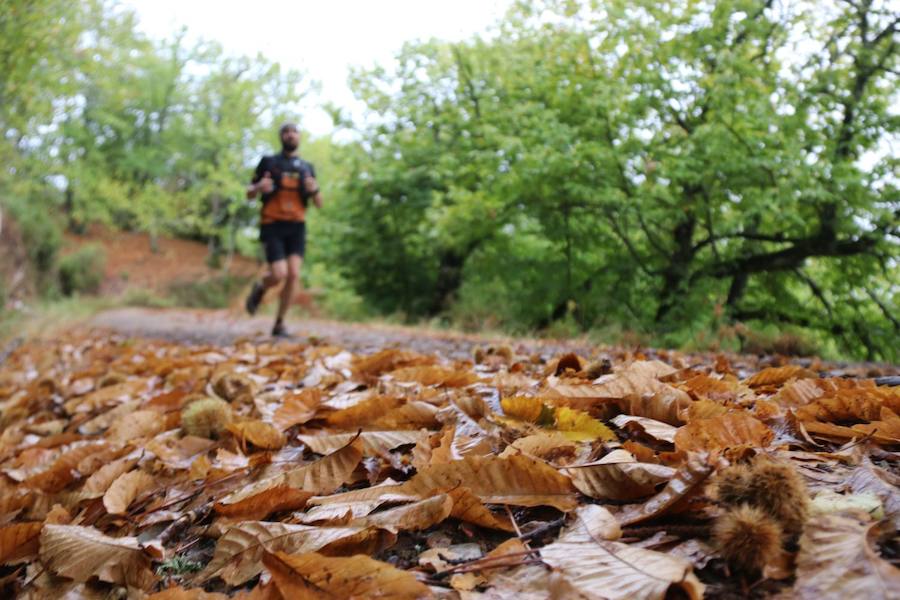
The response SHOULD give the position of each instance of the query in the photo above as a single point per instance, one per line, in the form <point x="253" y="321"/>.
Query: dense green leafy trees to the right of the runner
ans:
<point x="667" y="168"/>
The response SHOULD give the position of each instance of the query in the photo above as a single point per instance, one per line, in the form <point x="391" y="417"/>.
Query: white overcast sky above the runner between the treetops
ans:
<point x="321" y="38"/>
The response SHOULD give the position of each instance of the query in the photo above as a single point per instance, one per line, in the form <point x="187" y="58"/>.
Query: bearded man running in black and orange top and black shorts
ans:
<point x="287" y="183"/>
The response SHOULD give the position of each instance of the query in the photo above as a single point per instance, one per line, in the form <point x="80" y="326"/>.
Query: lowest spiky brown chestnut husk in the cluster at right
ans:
<point x="747" y="538"/>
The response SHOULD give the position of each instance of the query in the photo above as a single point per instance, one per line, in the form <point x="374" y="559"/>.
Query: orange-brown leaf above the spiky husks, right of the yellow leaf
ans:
<point x="724" y="431"/>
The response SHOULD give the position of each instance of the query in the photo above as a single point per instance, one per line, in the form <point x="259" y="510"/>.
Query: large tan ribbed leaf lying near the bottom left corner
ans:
<point x="80" y="553"/>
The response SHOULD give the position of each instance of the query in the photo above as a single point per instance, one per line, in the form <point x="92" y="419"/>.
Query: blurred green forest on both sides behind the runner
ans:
<point x="675" y="173"/>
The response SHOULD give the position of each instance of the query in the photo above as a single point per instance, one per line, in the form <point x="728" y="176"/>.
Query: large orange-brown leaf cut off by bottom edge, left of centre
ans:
<point x="313" y="575"/>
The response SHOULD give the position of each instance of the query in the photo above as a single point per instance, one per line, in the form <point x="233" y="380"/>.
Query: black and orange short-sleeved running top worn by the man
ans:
<point x="287" y="201"/>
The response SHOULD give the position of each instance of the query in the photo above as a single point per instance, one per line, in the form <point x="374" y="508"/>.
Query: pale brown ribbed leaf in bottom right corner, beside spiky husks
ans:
<point x="837" y="560"/>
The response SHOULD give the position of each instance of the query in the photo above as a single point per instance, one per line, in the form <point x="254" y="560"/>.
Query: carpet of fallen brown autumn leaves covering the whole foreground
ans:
<point x="259" y="470"/>
